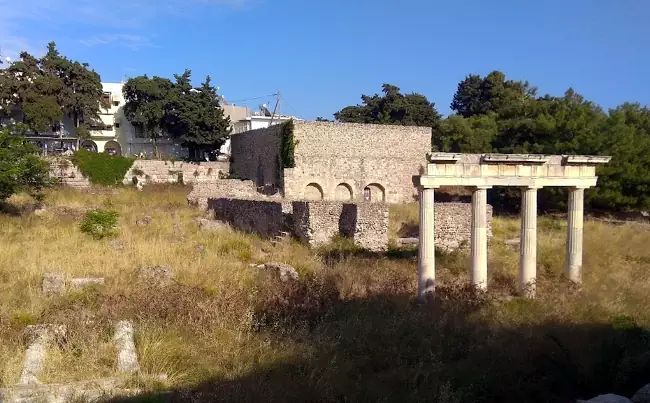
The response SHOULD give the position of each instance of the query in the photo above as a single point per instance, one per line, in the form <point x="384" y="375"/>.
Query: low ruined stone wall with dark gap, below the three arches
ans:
<point x="317" y="222"/>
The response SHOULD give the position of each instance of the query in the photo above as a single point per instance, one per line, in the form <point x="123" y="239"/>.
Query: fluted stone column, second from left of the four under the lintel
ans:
<point x="478" y="270"/>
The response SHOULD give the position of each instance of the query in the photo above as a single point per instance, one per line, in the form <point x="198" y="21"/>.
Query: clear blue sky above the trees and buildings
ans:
<point x="323" y="55"/>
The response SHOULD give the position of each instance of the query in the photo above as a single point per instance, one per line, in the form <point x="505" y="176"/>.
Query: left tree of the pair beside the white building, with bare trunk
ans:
<point x="146" y="101"/>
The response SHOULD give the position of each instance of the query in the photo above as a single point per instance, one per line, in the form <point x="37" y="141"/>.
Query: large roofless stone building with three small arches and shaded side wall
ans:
<point x="336" y="161"/>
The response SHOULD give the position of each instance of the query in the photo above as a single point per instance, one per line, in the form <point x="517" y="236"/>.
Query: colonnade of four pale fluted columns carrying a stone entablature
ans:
<point x="481" y="172"/>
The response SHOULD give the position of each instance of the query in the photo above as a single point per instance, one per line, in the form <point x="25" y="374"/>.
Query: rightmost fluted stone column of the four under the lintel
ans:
<point x="574" y="235"/>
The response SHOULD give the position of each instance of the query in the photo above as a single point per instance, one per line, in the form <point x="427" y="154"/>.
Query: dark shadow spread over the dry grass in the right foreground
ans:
<point x="388" y="348"/>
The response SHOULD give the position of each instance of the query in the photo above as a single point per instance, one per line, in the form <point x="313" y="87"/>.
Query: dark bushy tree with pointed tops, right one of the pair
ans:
<point x="195" y="117"/>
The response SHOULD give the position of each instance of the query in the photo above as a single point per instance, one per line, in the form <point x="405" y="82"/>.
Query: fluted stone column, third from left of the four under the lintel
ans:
<point x="528" y="243"/>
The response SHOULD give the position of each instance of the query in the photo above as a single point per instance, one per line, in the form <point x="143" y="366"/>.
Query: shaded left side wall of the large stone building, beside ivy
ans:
<point x="255" y="155"/>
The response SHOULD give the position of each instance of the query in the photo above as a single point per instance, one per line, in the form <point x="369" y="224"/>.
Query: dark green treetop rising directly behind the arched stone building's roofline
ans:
<point x="392" y="107"/>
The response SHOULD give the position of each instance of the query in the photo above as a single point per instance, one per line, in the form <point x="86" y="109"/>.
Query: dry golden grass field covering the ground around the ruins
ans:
<point x="348" y="331"/>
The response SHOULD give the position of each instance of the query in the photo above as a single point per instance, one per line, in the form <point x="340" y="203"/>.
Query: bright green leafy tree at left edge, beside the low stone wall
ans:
<point x="20" y="168"/>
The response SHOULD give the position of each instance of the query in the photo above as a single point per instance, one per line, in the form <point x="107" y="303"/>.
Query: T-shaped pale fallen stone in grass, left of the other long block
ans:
<point x="39" y="336"/>
